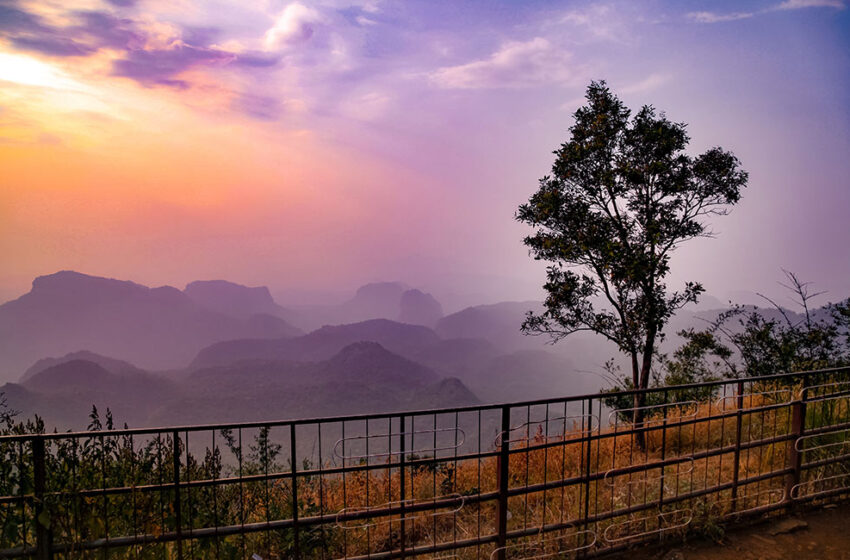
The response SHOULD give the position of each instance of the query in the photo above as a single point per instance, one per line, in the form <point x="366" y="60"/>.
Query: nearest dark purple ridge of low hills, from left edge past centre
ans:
<point x="362" y="377"/>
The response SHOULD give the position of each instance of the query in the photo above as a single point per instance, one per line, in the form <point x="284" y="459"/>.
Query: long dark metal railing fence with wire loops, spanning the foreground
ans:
<point x="571" y="476"/>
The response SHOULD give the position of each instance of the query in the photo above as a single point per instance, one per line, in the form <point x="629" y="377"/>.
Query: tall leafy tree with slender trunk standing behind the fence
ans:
<point x="622" y="197"/>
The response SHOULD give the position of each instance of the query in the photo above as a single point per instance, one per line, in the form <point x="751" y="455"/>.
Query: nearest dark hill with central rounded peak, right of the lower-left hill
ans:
<point x="362" y="377"/>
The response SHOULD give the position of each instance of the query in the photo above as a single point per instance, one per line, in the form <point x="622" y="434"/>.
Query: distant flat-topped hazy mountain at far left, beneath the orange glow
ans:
<point x="156" y="328"/>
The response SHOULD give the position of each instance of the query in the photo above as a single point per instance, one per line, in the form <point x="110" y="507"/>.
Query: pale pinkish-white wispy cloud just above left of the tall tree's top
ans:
<point x="514" y="65"/>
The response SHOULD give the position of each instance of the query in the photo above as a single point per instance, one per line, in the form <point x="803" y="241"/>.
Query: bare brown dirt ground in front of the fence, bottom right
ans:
<point x="814" y="535"/>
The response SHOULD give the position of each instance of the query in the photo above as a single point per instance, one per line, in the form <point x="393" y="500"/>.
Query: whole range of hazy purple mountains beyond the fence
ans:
<point x="218" y="351"/>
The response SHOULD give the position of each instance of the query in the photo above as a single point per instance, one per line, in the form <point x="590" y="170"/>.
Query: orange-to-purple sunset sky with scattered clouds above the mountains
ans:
<point x="316" y="146"/>
